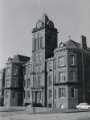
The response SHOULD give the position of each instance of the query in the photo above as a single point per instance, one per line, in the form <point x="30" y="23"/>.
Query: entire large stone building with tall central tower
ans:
<point x="56" y="76"/>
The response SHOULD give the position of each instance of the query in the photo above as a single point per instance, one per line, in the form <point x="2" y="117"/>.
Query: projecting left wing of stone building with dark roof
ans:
<point x="13" y="93"/>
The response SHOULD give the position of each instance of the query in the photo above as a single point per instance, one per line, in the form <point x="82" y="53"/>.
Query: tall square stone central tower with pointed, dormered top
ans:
<point x="44" y="42"/>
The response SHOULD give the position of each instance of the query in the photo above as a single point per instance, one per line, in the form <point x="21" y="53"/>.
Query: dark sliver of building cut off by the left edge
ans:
<point x="2" y="85"/>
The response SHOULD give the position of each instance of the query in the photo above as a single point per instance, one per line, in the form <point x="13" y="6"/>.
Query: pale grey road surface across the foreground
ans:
<point x="22" y="115"/>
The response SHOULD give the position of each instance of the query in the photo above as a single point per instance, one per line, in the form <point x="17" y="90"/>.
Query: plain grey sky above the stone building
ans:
<point x="18" y="17"/>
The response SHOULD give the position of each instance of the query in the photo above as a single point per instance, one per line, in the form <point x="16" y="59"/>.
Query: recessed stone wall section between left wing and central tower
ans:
<point x="28" y="82"/>
